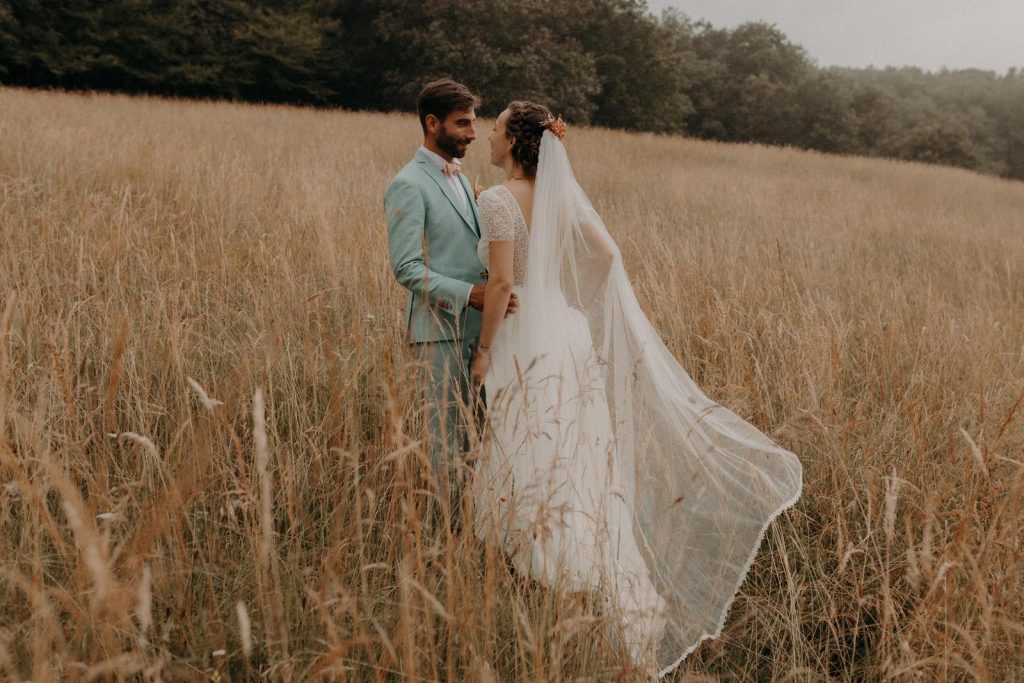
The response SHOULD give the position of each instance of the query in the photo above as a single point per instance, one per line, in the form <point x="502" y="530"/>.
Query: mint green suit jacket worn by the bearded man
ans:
<point x="433" y="244"/>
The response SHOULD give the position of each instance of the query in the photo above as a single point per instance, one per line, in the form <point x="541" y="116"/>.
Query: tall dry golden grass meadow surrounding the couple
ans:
<point x="210" y="450"/>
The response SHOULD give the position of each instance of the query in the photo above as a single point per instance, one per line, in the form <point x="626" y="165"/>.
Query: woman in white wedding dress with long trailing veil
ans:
<point x="607" y="469"/>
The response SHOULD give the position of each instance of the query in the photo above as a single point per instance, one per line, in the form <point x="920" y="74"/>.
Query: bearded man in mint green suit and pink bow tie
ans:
<point x="434" y="228"/>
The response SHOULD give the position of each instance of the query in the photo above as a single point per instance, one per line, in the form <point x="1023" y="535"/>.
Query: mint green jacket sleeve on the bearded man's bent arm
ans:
<point x="406" y="214"/>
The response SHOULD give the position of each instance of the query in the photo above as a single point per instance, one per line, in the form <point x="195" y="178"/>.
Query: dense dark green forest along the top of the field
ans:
<point x="607" y="63"/>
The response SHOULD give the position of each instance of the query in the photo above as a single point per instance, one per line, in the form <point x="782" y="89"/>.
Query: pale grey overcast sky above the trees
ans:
<point x="930" y="34"/>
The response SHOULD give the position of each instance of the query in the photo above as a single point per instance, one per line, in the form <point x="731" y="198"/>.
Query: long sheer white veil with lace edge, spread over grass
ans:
<point x="702" y="485"/>
